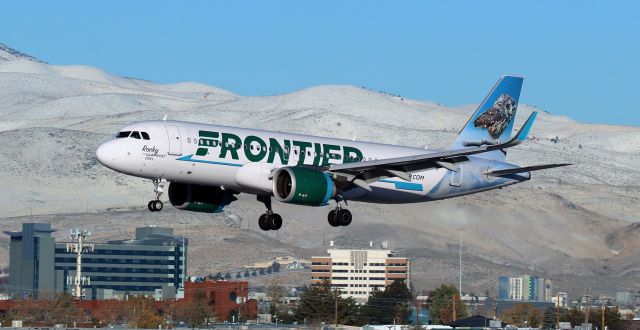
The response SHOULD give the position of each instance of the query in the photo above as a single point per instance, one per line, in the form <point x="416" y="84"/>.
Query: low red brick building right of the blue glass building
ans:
<point x="229" y="300"/>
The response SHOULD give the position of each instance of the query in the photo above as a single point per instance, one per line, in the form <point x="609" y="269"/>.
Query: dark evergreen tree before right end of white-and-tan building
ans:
<point x="389" y="306"/>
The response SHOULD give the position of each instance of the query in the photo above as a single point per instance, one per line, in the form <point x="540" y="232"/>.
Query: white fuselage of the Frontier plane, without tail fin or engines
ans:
<point x="242" y="160"/>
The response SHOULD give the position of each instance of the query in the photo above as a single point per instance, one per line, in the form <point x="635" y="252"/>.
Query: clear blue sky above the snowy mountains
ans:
<point x="580" y="58"/>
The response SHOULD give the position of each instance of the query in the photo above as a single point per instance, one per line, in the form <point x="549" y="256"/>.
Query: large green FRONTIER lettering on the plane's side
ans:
<point x="256" y="149"/>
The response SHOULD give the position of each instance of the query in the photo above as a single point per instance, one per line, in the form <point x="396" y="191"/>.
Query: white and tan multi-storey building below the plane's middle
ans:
<point x="356" y="273"/>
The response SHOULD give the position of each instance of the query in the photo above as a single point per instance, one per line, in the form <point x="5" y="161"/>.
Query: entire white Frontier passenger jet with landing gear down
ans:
<point x="207" y="165"/>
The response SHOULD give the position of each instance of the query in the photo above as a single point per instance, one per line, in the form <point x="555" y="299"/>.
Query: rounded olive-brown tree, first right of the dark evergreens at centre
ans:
<point x="441" y="306"/>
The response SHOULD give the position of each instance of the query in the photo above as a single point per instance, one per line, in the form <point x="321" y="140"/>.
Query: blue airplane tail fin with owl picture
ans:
<point x="493" y="121"/>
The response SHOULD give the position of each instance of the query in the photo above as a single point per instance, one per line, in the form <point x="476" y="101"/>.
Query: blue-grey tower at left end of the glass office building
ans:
<point x="31" y="261"/>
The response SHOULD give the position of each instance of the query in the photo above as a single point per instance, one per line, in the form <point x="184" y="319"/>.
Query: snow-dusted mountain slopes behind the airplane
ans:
<point x="564" y="223"/>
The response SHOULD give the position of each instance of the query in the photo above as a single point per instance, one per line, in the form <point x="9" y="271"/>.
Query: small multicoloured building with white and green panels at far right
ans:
<point x="524" y="288"/>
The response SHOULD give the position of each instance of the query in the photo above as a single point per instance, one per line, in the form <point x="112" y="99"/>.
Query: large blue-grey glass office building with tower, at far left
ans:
<point x="152" y="264"/>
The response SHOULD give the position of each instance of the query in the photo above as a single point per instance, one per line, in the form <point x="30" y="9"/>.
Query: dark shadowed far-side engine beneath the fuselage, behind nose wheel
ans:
<point x="198" y="198"/>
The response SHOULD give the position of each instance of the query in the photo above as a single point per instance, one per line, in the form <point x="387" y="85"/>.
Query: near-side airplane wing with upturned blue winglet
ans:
<point x="363" y="173"/>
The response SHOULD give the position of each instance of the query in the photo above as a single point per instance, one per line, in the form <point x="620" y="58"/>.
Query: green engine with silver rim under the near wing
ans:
<point x="303" y="185"/>
